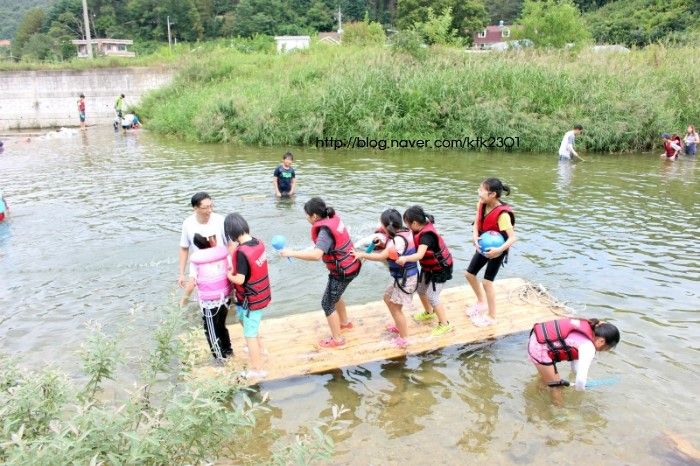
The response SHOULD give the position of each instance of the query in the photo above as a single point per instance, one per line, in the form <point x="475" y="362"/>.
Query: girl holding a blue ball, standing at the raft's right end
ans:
<point x="491" y="215"/>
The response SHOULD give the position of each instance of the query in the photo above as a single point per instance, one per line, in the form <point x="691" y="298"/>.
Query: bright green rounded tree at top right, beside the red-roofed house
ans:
<point x="553" y="23"/>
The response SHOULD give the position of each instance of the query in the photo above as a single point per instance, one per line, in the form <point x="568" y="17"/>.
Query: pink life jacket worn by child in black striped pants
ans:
<point x="212" y="269"/>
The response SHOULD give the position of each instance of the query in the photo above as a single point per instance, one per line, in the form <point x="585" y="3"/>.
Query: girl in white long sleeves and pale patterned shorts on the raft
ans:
<point x="404" y="279"/>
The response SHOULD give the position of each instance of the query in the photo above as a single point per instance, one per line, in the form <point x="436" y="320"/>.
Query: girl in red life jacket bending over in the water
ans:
<point x="574" y="340"/>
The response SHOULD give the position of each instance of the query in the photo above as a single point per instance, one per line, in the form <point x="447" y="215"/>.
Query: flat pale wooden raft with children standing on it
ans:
<point x="292" y="340"/>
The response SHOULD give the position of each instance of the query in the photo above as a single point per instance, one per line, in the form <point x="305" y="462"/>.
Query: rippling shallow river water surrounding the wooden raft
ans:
<point x="94" y="237"/>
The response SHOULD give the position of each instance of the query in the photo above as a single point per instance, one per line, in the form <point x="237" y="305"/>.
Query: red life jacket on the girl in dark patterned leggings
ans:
<point x="339" y="261"/>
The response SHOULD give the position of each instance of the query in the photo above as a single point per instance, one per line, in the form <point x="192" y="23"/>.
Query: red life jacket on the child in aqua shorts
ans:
<point x="255" y="293"/>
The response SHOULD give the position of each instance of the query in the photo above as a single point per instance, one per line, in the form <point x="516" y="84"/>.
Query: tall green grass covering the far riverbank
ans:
<point x="624" y="101"/>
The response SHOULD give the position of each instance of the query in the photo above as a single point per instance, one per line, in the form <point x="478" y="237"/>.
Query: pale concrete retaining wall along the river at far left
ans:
<point x="48" y="98"/>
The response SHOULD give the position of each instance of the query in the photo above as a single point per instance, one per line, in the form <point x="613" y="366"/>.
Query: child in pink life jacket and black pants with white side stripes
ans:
<point x="210" y="269"/>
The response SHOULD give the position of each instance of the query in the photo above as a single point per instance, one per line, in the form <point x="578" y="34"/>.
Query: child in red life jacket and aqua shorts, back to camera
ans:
<point x="251" y="285"/>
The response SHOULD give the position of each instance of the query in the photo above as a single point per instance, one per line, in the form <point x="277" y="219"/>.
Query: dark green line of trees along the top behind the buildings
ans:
<point x="45" y="32"/>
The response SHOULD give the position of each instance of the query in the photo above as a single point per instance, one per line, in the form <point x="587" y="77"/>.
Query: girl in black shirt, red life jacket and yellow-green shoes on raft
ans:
<point x="436" y="267"/>
